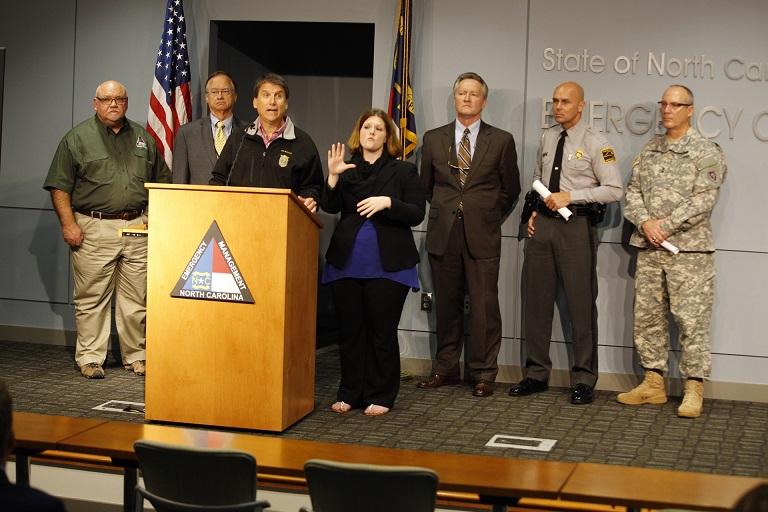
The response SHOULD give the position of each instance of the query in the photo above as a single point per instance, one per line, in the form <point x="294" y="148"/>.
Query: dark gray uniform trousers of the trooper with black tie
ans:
<point x="564" y="252"/>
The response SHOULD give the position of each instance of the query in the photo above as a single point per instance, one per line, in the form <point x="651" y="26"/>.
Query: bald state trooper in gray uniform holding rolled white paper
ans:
<point x="578" y="165"/>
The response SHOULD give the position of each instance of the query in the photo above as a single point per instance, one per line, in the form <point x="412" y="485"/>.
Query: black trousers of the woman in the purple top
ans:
<point x="369" y="312"/>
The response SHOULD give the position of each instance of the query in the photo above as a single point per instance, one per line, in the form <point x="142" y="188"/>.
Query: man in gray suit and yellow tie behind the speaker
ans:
<point x="198" y="144"/>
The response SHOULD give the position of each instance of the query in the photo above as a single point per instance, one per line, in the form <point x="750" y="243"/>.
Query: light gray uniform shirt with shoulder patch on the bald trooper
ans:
<point x="589" y="170"/>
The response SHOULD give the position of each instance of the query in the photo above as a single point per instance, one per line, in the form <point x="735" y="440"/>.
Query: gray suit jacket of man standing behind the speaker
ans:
<point x="194" y="154"/>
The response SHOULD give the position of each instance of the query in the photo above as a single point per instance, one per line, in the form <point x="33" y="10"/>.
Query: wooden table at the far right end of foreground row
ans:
<point x="638" y="488"/>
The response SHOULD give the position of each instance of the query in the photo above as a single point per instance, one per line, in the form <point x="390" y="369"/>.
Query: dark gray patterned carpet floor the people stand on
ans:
<point x="729" y="438"/>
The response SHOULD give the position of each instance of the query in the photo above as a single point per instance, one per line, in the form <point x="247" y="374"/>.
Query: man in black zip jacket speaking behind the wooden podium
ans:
<point x="272" y="152"/>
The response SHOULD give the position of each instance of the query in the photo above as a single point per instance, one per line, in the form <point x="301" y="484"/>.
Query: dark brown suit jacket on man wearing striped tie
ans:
<point x="490" y="192"/>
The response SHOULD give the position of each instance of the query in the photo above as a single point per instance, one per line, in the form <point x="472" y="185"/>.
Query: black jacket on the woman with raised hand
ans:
<point x="398" y="180"/>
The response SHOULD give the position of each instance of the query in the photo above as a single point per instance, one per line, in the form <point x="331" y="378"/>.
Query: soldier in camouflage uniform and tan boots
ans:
<point x="673" y="189"/>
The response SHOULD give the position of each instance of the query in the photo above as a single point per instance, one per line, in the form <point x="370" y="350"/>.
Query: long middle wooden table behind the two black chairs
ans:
<point x="498" y="481"/>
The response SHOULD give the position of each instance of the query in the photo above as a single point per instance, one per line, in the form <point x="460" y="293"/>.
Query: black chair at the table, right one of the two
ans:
<point x="341" y="487"/>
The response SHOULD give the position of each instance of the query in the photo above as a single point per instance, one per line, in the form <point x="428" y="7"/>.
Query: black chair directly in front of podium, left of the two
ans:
<point x="180" y="479"/>
